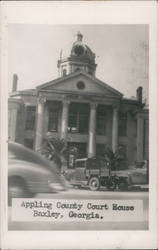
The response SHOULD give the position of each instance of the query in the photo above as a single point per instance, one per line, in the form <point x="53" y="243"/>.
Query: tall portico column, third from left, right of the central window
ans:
<point x="92" y="131"/>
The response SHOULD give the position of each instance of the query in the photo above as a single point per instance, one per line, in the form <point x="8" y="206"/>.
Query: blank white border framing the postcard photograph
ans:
<point x="79" y="12"/>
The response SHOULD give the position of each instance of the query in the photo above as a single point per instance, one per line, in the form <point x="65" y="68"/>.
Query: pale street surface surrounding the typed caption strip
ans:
<point x="85" y="194"/>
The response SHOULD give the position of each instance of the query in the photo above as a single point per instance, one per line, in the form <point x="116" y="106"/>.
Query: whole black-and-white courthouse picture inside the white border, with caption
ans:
<point x="79" y="113"/>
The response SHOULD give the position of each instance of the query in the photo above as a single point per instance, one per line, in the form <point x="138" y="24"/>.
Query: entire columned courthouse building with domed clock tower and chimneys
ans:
<point x="81" y="109"/>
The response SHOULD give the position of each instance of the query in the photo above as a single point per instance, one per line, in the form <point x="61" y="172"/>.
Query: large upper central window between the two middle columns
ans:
<point x="78" y="118"/>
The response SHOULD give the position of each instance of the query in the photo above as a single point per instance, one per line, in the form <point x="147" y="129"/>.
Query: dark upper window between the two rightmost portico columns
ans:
<point x="101" y="121"/>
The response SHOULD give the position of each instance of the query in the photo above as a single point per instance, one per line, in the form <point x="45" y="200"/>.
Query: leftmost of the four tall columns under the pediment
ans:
<point x="39" y="123"/>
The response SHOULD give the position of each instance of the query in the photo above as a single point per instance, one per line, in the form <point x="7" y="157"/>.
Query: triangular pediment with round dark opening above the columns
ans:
<point x="81" y="83"/>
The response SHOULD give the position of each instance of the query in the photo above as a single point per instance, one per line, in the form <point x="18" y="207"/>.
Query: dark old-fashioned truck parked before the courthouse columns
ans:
<point x="92" y="173"/>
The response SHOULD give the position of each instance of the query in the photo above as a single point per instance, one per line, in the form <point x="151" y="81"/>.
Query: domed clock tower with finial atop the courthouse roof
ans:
<point x="81" y="59"/>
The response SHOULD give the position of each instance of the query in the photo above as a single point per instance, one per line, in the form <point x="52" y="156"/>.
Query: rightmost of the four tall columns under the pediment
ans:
<point x="115" y="129"/>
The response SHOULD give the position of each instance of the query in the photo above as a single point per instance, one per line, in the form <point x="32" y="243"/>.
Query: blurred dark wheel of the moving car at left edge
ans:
<point x="17" y="189"/>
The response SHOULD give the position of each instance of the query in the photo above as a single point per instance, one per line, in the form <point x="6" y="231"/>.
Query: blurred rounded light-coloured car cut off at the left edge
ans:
<point x="29" y="173"/>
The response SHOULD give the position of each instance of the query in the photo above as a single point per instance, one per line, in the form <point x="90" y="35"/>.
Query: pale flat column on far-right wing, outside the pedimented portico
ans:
<point x="140" y="135"/>
